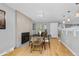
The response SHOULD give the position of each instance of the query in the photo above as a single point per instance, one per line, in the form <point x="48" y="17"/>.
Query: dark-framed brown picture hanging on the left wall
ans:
<point x="2" y="19"/>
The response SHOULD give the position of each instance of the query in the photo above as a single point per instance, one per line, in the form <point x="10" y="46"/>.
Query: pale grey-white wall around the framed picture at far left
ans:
<point x="7" y="36"/>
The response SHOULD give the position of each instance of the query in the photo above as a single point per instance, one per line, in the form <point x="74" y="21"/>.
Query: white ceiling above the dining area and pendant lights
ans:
<point x="46" y="12"/>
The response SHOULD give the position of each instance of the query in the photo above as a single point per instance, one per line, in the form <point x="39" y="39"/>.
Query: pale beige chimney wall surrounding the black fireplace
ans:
<point x="24" y="24"/>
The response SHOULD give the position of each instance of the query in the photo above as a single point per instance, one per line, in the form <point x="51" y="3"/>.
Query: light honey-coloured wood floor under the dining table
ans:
<point x="56" y="49"/>
